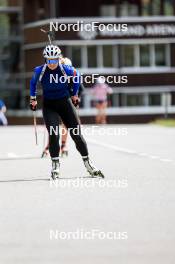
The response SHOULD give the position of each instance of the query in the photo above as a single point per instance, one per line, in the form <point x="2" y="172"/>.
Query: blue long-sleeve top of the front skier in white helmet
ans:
<point x="52" y="87"/>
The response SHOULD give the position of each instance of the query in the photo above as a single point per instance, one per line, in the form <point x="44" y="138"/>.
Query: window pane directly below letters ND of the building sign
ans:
<point x="127" y="56"/>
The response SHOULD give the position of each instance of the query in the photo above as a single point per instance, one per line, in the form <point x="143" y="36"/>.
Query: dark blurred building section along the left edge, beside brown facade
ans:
<point x="11" y="57"/>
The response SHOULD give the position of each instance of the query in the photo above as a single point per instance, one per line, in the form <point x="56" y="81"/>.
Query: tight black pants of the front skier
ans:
<point x="63" y="108"/>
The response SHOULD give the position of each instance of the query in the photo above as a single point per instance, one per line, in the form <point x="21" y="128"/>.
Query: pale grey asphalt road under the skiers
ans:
<point x="71" y="222"/>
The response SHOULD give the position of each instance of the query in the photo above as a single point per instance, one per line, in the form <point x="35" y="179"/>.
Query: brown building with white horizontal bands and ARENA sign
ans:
<point x="144" y="53"/>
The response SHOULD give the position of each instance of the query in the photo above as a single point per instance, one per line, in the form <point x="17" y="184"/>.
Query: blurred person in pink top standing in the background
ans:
<point x="100" y="91"/>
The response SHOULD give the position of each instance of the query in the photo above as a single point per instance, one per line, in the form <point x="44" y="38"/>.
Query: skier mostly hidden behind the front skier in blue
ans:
<point x="63" y="149"/>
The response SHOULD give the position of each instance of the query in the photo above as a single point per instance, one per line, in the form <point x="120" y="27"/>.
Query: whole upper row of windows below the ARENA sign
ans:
<point x="122" y="56"/>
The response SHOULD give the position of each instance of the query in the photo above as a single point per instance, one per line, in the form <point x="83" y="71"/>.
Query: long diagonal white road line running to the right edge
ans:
<point x="129" y="151"/>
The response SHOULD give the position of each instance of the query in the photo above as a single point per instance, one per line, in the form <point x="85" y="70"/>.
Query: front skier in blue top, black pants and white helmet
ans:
<point x="58" y="103"/>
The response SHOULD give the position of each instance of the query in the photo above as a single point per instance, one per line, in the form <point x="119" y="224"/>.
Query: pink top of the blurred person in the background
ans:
<point x="100" y="91"/>
